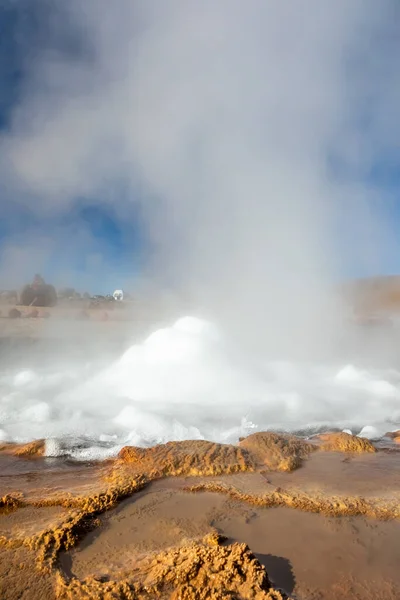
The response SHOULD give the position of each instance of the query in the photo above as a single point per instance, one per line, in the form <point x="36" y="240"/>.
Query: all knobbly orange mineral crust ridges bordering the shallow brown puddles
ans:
<point x="197" y="565"/>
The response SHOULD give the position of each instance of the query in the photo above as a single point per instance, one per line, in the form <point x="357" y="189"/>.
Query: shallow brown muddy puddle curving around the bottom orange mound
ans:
<point x="307" y="554"/>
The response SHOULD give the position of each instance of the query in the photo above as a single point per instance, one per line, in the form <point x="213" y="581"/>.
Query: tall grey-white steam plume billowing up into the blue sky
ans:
<point x="246" y="131"/>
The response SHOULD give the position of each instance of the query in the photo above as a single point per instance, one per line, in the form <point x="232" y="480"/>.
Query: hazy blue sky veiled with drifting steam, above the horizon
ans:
<point x="86" y="217"/>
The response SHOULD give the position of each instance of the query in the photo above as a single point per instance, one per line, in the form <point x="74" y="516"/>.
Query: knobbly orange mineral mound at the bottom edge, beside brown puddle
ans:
<point x="195" y="571"/>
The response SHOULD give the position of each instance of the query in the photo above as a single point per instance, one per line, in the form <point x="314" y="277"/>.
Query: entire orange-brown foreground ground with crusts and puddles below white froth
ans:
<point x="273" y="517"/>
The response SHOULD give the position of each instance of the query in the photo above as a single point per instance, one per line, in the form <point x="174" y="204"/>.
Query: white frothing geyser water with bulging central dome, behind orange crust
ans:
<point x="181" y="383"/>
